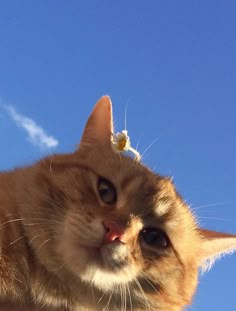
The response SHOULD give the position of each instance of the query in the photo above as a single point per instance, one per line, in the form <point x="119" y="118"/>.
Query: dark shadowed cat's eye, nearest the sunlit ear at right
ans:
<point x="155" y="237"/>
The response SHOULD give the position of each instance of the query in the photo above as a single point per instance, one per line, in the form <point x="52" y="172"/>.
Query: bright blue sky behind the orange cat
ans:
<point x="172" y="63"/>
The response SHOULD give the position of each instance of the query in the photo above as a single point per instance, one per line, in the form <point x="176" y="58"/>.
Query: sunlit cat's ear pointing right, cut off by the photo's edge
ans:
<point x="215" y="245"/>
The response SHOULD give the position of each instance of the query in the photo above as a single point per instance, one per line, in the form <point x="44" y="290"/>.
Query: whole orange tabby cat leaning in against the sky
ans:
<point x="96" y="230"/>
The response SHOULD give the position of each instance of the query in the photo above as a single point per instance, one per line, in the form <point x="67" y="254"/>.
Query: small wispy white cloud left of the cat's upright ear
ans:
<point x="36" y="134"/>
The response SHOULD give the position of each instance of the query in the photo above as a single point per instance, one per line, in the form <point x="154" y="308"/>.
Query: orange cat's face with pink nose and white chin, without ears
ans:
<point x="121" y="224"/>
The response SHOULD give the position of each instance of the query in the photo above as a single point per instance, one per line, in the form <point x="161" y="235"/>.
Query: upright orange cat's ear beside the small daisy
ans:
<point x="99" y="127"/>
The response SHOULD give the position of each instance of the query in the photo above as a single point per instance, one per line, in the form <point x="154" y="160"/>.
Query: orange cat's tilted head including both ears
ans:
<point x="115" y="224"/>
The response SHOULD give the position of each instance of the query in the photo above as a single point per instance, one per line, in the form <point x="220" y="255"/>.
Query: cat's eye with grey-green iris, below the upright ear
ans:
<point x="107" y="191"/>
